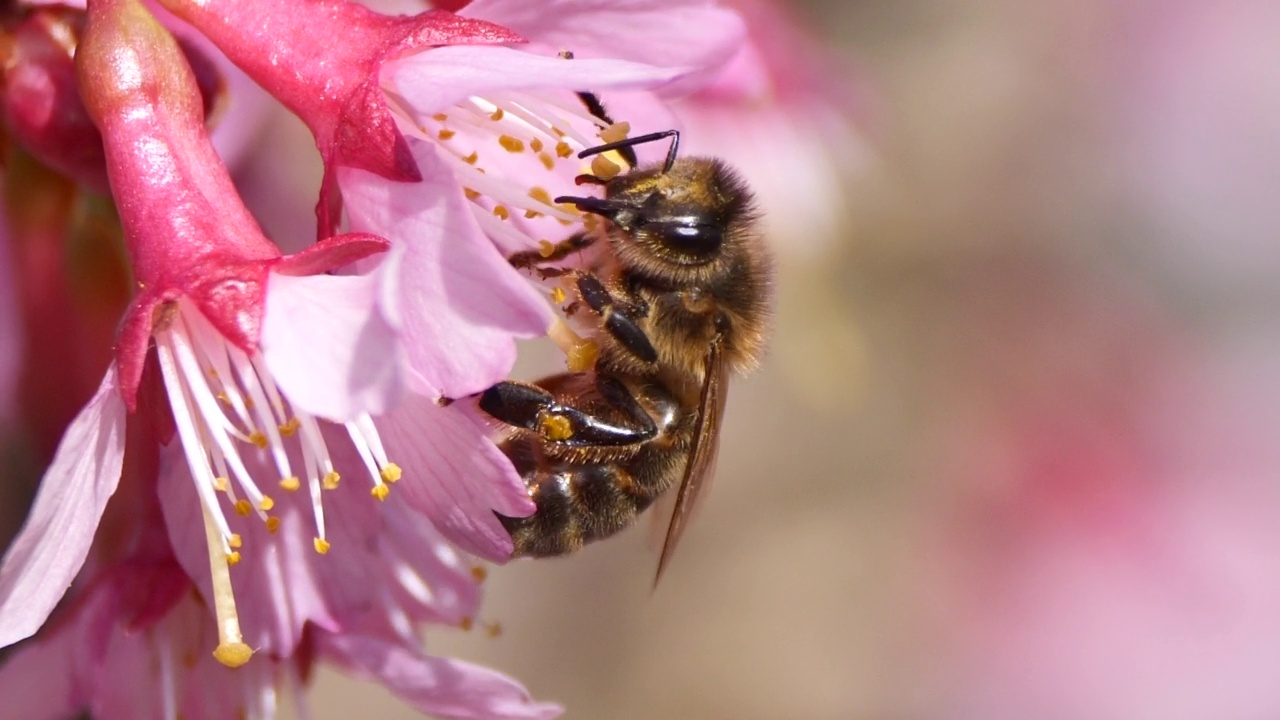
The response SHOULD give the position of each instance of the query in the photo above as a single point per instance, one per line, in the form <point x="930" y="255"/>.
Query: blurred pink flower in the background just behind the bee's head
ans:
<point x="784" y="110"/>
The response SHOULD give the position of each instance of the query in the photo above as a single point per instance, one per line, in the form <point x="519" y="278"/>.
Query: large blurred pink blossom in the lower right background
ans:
<point x="1107" y="548"/>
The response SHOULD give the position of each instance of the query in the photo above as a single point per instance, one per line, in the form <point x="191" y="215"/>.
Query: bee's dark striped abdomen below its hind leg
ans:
<point x="577" y="505"/>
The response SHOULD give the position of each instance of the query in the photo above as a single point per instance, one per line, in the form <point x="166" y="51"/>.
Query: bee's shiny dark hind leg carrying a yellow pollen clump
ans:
<point x="615" y="420"/>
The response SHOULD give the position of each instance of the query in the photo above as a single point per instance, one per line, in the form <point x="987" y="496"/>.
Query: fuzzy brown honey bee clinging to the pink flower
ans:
<point x="678" y="299"/>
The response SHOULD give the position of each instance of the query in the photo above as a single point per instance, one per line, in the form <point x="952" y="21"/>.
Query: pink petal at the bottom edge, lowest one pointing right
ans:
<point x="433" y="685"/>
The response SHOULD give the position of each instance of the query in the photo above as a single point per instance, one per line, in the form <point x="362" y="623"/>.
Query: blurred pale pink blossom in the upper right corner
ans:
<point x="1196" y="90"/>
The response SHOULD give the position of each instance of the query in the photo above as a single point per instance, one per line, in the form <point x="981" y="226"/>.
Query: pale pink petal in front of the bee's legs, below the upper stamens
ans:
<point x="460" y="303"/>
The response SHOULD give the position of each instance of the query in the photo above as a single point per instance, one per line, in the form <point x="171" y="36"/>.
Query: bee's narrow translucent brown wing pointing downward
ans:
<point x="702" y="455"/>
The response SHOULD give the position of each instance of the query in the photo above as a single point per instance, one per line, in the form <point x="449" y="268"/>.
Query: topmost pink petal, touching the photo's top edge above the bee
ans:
<point x="673" y="34"/>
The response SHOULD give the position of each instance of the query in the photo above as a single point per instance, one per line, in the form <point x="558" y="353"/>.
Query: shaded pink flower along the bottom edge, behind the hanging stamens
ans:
<point x="134" y="644"/>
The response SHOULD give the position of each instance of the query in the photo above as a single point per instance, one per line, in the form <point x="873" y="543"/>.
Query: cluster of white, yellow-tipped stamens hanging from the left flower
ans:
<point x="223" y="402"/>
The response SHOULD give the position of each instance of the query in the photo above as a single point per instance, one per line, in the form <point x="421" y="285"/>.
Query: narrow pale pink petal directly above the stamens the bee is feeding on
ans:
<point x="436" y="81"/>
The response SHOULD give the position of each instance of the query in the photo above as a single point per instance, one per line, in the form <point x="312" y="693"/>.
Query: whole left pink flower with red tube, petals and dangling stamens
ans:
<point x="228" y="316"/>
